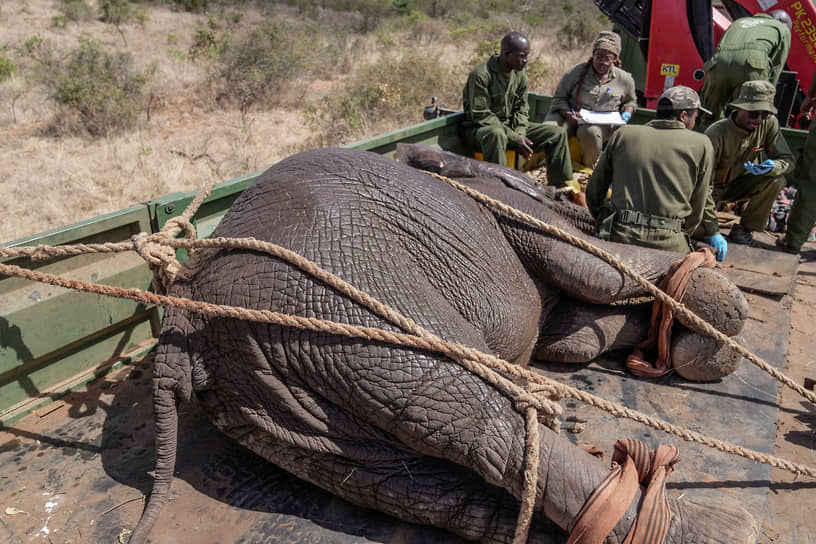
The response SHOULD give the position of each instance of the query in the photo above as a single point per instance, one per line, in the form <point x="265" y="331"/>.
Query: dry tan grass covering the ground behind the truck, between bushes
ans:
<point x="184" y="140"/>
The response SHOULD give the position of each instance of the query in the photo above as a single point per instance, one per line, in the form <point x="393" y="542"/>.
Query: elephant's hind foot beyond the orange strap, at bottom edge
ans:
<point x="714" y="524"/>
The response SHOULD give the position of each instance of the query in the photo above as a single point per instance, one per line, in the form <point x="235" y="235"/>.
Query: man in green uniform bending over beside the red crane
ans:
<point x="752" y="48"/>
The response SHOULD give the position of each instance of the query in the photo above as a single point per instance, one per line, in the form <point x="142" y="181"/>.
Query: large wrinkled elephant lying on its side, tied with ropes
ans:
<point x="405" y="431"/>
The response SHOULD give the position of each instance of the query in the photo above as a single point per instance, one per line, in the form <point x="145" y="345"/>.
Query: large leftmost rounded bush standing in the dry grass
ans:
<point x="99" y="93"/>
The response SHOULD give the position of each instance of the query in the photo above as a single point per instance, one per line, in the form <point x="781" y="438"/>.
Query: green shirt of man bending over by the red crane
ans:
<point x="764" y="40"/>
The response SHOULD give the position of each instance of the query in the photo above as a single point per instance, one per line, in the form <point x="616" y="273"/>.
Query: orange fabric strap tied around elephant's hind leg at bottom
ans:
<point x="633" y="464"/>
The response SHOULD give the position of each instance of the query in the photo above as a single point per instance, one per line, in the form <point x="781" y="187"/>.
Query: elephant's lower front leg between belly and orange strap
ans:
<point x="577" y="332"/>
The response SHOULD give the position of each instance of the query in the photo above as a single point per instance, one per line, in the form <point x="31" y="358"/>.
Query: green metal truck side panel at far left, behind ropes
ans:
<point x="50" y="336"/>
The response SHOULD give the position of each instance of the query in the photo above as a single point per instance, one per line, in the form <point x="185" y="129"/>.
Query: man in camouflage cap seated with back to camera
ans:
<point x="660" y="175"/>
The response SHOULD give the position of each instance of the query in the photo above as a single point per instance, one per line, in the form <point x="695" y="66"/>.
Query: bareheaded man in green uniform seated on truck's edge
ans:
<point x="497" y="112"/>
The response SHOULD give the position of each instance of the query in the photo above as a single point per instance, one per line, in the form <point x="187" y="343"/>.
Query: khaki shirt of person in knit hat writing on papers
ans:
<point x="616" y="94"/>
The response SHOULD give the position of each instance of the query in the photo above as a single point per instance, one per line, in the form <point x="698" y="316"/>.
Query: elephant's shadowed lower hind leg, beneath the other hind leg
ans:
<point x="417" y="489"/>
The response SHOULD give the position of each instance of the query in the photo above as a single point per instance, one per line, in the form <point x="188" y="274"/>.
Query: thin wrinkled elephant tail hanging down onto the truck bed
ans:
<point x="166" y="435"/>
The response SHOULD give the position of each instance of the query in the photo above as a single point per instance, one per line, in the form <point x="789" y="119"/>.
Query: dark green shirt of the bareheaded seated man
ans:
<point x="493" y="98"/>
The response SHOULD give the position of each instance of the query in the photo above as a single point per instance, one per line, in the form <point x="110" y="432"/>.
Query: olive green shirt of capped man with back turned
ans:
<point x="660" y="168"/>
